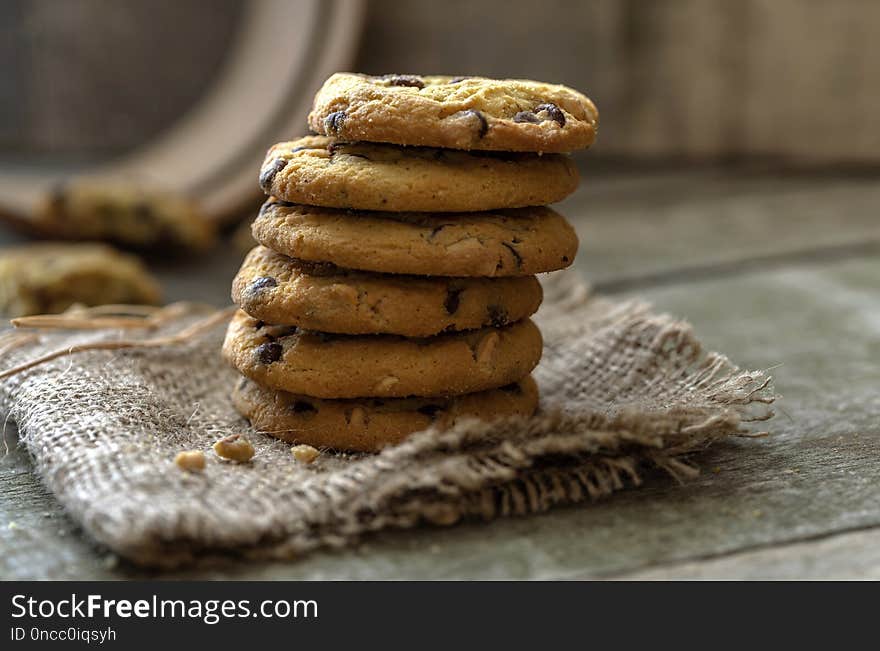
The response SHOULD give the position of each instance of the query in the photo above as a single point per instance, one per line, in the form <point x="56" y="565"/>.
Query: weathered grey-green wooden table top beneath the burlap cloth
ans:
<point x="771" y="269"/>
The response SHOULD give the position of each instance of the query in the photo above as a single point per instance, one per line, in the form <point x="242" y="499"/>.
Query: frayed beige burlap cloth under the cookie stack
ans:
<point x="621" y="387"/>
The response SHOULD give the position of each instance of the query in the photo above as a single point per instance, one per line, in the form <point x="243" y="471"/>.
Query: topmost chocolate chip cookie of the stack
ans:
<point x="455" y="113"/>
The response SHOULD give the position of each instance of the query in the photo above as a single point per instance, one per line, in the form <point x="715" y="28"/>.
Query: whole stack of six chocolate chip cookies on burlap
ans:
<point x="395" y="276"/>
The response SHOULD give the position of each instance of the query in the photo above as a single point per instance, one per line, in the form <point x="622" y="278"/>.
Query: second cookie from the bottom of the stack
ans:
<point x="354" y="366"/>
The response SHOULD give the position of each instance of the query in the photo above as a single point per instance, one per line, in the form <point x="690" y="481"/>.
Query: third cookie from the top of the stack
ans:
<point x="515" y="242"/>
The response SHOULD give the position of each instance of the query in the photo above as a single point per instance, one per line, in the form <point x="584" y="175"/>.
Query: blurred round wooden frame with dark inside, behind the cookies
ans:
<point x="183" y="95"/>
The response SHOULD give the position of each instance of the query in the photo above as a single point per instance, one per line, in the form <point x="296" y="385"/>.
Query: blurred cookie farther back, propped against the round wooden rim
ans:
<point x="125" y="214"/>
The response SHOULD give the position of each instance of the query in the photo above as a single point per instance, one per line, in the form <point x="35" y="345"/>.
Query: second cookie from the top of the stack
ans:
<point x="322" y="171"/>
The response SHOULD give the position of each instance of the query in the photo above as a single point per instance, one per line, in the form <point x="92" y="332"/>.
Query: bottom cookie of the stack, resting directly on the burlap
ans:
<point x="369" y="424"/>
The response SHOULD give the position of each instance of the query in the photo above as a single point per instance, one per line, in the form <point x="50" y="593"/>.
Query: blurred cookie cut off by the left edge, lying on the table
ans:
<point x="49" y="278"/>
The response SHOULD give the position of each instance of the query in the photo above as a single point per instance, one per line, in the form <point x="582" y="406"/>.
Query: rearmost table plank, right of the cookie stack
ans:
<point x="637" y="225"/>
